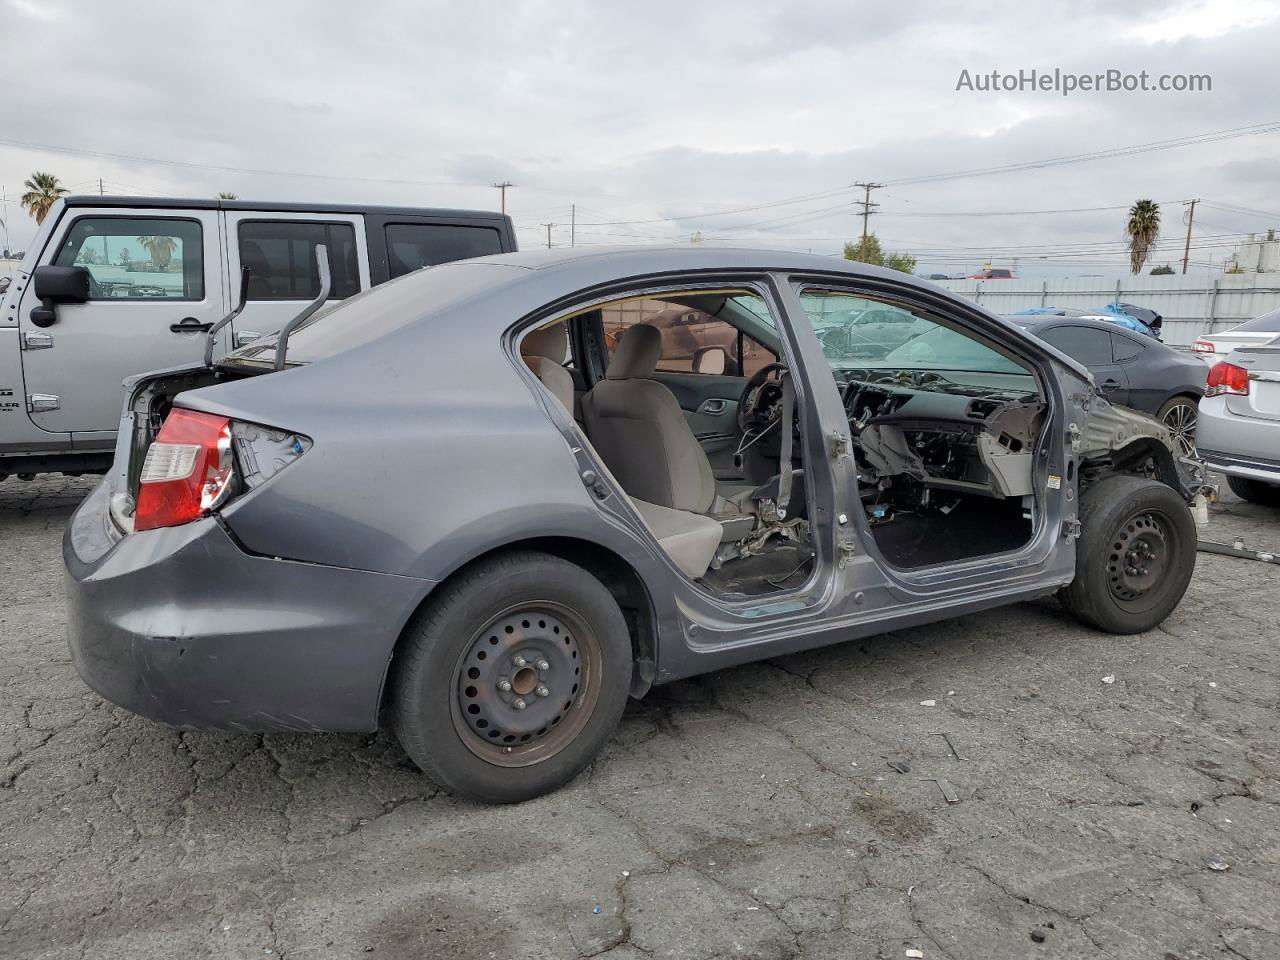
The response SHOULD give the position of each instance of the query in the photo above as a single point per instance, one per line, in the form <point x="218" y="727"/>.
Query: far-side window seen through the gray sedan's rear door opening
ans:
<point x="687" y="331"/>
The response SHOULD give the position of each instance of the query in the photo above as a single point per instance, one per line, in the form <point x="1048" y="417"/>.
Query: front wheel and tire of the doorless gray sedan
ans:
<point x="1136" y="555"/>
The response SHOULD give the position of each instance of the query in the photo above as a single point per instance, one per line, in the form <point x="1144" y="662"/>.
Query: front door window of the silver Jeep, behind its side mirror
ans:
<point x="138" y="258"/>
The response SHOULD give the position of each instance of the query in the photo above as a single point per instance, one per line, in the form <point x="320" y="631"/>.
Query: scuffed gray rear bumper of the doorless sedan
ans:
<point x="182" y="627"/>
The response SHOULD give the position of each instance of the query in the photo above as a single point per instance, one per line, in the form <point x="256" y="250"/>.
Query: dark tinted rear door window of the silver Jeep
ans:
<point x="282" y="262"/>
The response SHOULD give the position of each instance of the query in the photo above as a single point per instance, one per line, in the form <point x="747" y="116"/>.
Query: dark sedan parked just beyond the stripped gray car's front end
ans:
<point x="1131" y="369"/>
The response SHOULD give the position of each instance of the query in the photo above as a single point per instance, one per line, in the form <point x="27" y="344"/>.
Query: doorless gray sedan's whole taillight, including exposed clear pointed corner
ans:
<point x="191" y="469"/>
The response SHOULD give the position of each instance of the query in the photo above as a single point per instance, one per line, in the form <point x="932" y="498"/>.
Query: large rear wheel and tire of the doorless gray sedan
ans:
<point x="486" y="621"/>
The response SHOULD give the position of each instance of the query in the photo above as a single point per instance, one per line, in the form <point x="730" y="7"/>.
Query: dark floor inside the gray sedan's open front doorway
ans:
<point x="972" y="527"/>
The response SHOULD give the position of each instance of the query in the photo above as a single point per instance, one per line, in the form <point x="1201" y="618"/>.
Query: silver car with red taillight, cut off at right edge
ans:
<point x="1238" y="433"/>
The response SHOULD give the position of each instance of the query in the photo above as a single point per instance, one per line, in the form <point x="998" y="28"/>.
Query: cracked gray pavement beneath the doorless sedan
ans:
<point x="752" y="813"/>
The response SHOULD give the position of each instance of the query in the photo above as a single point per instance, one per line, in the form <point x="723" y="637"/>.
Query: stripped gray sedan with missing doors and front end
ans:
<point x="488" y="501"/>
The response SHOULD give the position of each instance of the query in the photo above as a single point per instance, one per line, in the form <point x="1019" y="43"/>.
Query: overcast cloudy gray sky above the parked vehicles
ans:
<point x="666" y="109"/>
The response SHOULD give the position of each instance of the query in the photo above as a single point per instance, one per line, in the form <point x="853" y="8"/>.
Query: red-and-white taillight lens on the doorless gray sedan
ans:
<point x="189" y="472"/>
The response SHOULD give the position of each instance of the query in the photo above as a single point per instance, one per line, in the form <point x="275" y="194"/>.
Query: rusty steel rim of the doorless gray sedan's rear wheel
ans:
<point x="527" y="650"/>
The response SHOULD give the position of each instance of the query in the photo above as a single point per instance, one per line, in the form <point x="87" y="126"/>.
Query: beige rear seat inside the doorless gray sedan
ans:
<point x="689" y="540"/>
